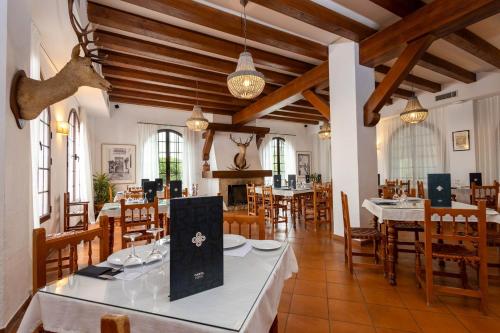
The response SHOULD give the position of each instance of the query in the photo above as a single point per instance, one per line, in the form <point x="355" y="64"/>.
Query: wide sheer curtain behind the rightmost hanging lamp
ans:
<point x="412" y="151"/>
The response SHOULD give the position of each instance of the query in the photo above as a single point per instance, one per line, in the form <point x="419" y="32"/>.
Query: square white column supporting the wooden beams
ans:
<point x="354" y="154"/>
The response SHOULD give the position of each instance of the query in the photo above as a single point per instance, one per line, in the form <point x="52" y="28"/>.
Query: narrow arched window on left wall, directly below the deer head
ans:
<point x="44" y="163"/>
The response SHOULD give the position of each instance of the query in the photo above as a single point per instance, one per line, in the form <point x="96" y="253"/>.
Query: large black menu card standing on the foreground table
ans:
<point x="196" y="245"/>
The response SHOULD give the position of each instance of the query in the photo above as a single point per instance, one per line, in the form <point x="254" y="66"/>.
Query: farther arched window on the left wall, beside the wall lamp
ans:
<point x="73" y="156"/>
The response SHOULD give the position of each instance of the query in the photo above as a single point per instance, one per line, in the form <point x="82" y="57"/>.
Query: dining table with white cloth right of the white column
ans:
<point x="390" y="211"/>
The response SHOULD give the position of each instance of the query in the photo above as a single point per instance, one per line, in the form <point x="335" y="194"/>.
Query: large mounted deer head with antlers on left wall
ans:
<point x="28" y="97"/>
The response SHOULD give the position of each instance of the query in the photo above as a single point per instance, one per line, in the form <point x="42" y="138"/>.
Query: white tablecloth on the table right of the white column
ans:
<point x="415" y="211"/>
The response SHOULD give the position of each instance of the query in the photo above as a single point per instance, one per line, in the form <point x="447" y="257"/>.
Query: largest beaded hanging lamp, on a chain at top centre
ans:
<point x="245" y="82"/>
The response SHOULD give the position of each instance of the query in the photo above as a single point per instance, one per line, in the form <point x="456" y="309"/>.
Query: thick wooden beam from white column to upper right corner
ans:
<point x="439" y="18"/>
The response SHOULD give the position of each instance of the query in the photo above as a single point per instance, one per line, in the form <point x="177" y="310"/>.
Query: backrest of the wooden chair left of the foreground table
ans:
<point x="43" y="246"/>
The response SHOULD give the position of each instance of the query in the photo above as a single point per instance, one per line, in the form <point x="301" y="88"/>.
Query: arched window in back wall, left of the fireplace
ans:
<point x="170" y="145"/>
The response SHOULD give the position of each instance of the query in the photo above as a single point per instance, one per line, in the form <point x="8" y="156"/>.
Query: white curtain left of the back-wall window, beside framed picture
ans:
<point x="148" y="151"/>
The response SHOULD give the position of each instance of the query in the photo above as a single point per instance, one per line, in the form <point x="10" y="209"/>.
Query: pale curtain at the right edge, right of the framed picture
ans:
<point x="487" y="129"/>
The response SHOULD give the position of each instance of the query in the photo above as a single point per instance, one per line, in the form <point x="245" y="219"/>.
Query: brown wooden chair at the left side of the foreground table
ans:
<point x="44" y="246"/>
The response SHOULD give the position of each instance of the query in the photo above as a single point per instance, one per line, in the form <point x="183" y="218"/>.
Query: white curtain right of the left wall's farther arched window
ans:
<point x="86" y="189"/>
